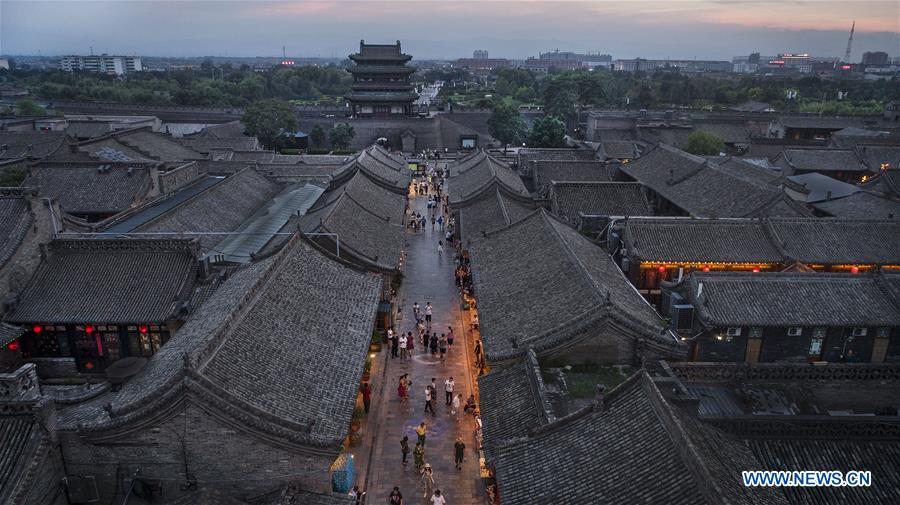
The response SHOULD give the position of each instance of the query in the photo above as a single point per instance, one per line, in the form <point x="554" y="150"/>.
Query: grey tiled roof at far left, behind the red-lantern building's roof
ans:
<point x="92" y="188"/>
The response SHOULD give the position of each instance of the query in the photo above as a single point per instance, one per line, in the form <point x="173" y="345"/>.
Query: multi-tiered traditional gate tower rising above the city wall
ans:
<point x="381" y="84"/>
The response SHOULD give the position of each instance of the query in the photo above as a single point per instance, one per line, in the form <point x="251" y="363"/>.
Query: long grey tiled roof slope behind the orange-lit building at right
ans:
<point x="704" y="189"/>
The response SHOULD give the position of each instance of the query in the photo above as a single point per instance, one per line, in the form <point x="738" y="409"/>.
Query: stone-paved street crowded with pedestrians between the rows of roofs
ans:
<point x="427" y="277"/>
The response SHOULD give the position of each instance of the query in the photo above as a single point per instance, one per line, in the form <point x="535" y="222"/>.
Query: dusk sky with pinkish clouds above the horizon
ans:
<point x="703" y="29"/>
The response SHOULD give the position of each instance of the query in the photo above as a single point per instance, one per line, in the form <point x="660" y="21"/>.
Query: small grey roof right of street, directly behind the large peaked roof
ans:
<point x="491" y="210"/>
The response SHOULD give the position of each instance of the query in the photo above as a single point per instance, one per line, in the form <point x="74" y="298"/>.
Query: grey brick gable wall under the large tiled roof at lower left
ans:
<point x="197" y="442"/>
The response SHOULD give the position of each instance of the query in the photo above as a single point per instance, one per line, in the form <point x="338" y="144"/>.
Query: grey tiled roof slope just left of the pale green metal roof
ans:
<point x="221" y="208"/>
